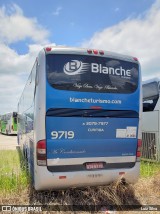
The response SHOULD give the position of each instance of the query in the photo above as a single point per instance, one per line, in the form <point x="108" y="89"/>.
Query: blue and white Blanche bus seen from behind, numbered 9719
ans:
<point x="79" y="118"/>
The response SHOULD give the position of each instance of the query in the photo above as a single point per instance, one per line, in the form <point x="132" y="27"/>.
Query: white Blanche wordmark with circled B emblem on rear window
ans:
<point x="77" y="67"/>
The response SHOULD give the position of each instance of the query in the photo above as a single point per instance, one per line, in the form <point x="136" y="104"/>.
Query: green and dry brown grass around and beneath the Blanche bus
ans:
<point x="15" y="187"/>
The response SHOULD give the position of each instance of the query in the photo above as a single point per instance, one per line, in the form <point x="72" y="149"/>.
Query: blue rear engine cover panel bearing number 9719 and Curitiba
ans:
<point x="93" y="137"/>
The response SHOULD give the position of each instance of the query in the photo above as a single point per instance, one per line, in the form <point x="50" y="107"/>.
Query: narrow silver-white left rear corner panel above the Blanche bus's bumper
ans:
<point x="39" y="114"/>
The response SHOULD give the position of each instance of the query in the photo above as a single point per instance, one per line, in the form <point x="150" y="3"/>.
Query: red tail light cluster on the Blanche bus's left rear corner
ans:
<point x="41" y="153"/>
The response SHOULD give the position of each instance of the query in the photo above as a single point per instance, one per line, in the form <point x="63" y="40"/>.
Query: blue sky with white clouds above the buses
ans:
<point x="123" y="26"/>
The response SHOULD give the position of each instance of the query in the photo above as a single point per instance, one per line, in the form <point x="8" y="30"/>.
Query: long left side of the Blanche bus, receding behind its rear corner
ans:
<point x="26" y="115"/>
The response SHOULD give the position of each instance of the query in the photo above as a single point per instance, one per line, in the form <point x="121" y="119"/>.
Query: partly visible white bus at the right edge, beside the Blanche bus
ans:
<point x="151" y="120"/>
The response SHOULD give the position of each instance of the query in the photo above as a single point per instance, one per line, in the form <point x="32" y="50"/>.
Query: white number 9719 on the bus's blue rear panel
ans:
<point x="62" y="135"/>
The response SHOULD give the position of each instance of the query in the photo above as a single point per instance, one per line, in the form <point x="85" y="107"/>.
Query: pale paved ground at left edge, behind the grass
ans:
<point x="8" y="142"/>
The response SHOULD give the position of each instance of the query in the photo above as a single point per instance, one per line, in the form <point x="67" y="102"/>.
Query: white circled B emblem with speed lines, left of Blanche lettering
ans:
<point x="75" y="67"/>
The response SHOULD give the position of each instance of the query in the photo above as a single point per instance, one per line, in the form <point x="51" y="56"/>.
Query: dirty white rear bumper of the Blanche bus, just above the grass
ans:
<point x="45" y="180"/>
